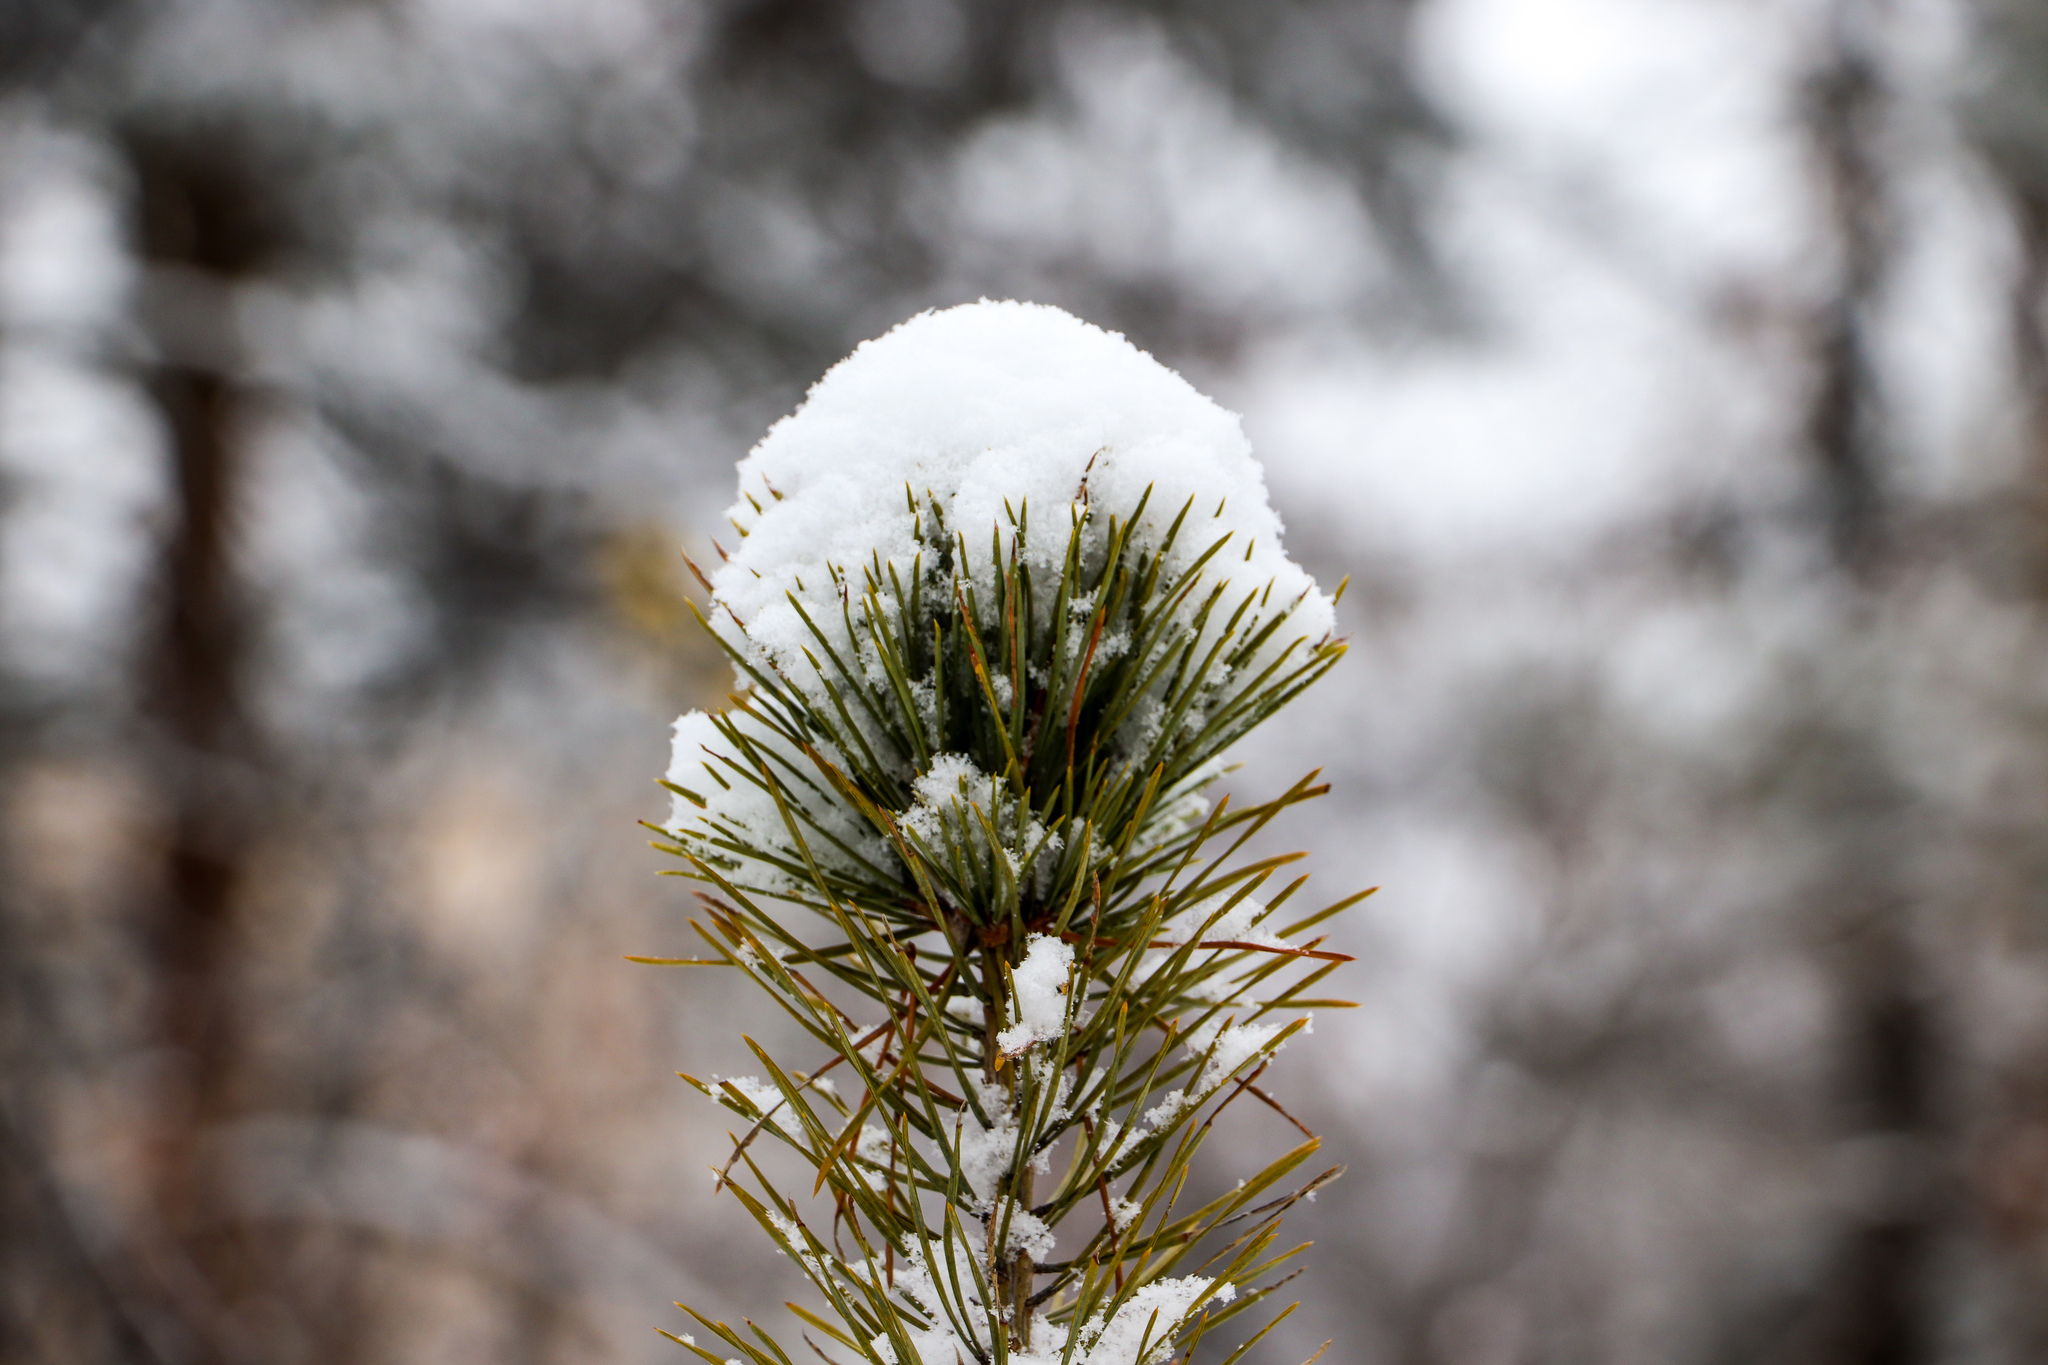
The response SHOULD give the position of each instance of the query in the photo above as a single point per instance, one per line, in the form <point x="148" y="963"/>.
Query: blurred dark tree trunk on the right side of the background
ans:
<point x="1875" y="1303"/>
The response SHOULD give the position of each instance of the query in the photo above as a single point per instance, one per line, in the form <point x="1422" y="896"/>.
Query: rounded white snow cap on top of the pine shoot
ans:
<point x="988" y="408"/>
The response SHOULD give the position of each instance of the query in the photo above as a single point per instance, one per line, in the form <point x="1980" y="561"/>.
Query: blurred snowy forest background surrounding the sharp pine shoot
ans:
<point x="1668" y="373"/>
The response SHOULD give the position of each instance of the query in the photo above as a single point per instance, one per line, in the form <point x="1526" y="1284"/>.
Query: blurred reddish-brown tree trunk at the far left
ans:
<point x="198" y="236"/>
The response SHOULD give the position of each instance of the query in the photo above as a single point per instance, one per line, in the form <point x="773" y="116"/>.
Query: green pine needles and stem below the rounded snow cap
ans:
<point x="1091" y="697"/>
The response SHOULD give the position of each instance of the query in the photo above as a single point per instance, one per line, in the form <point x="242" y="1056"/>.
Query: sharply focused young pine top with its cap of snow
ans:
<point x="1007" y="590"/>
